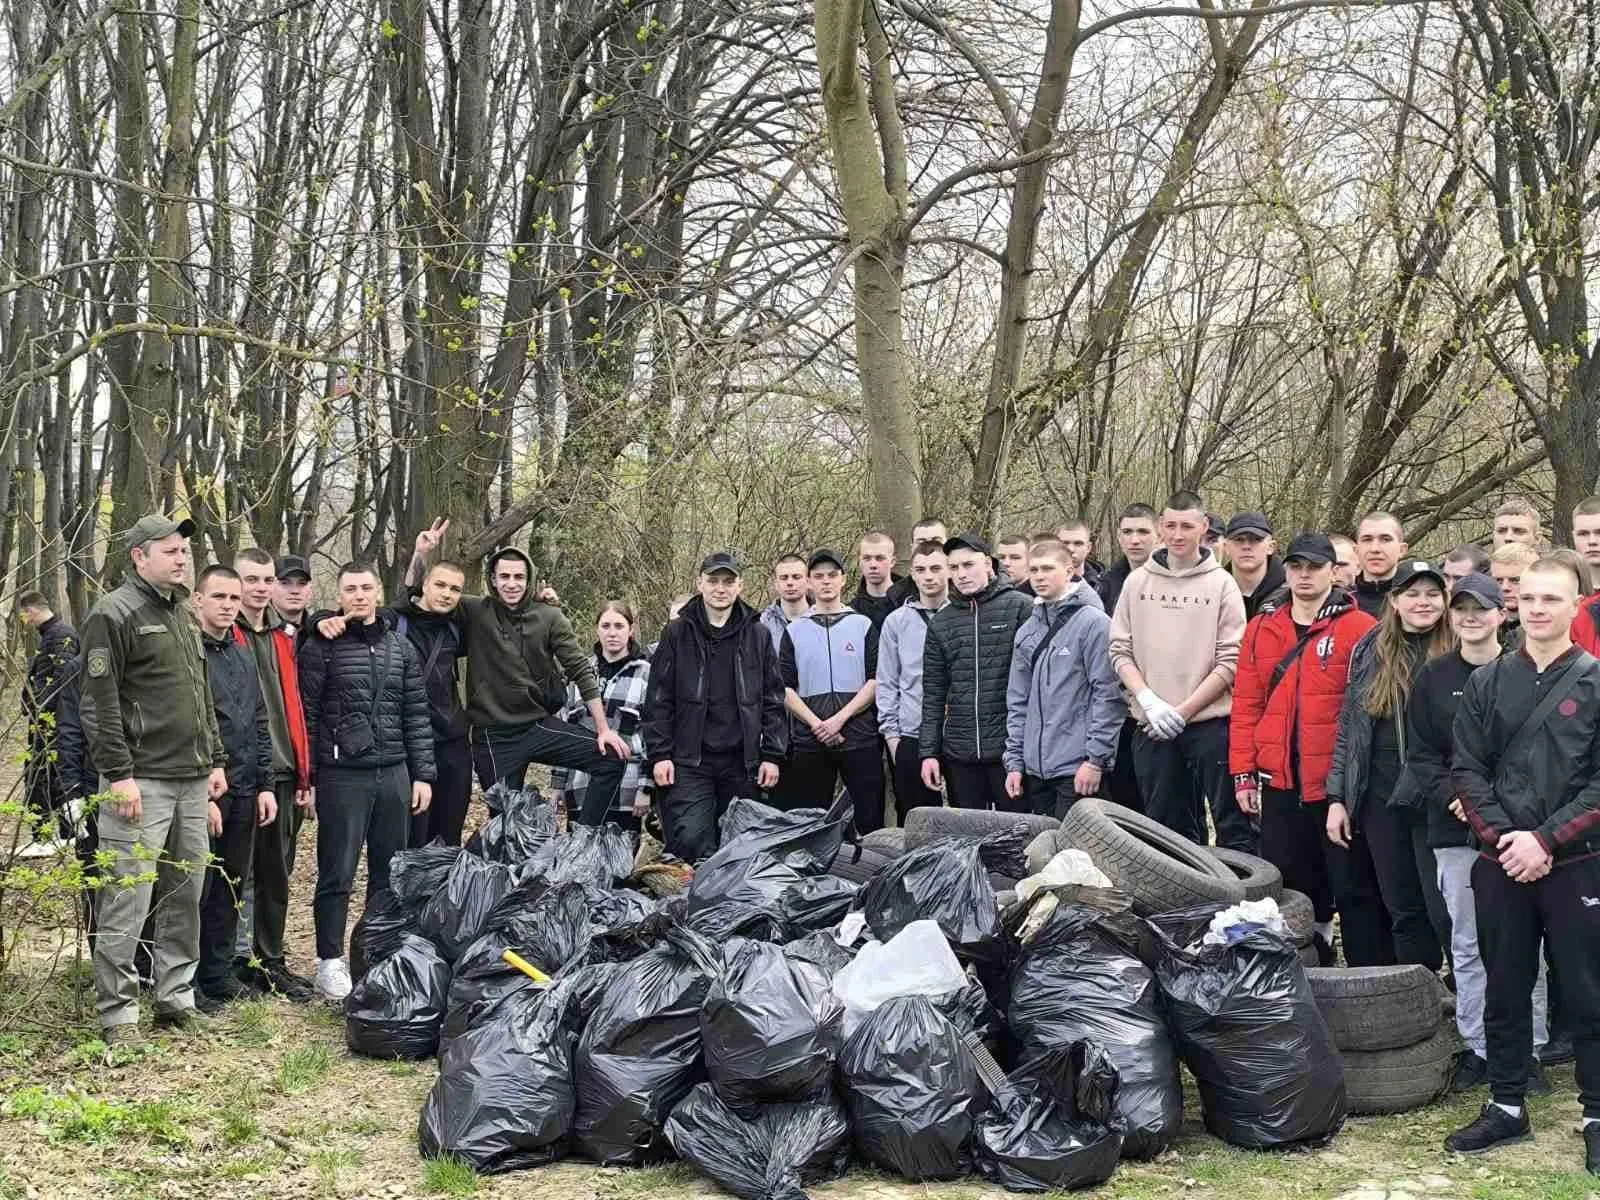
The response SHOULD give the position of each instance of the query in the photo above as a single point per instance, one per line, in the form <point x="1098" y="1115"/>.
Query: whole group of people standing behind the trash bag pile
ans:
<point x="1414" y="743"/>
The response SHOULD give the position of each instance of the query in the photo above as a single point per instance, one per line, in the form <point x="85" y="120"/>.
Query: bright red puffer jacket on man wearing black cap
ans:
<point x="1290" y="737"/>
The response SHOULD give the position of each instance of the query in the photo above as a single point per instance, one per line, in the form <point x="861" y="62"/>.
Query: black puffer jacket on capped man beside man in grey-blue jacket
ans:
<point x="966" y="670"/>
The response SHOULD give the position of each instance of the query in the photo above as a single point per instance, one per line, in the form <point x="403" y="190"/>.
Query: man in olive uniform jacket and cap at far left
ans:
<point x="151" y="735"/>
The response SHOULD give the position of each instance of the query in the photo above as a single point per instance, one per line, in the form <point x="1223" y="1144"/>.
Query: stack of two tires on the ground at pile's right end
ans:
<point x="1393" y="1033"/>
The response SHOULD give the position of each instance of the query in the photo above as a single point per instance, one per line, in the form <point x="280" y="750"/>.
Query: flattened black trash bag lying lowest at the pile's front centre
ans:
<point x="772" y="1156"/>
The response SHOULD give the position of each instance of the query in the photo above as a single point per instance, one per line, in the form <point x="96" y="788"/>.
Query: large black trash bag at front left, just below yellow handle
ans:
<point x="505" y="1092"/>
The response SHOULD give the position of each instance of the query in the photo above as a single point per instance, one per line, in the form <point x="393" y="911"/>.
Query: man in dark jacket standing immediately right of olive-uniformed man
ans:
<point x="250" y="801"/>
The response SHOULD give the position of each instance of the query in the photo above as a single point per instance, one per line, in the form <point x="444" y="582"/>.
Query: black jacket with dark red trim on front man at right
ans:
<point x="1553" y="785"/>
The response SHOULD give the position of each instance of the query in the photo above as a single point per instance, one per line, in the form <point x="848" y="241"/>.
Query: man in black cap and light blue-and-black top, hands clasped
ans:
<point x="830" y="663"/>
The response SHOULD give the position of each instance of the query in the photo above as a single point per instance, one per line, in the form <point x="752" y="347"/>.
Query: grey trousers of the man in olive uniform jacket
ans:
<point x="159" y="862"/>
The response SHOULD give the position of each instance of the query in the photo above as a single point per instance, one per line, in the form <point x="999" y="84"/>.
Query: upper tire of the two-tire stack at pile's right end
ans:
<point x="1372" y="1009"/>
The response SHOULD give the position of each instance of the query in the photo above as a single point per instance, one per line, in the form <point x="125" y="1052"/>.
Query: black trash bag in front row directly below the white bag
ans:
<point x="913" y="1090"/>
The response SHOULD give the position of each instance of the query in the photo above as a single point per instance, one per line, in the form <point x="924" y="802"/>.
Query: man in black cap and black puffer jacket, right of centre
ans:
<point x="966" y="673"/>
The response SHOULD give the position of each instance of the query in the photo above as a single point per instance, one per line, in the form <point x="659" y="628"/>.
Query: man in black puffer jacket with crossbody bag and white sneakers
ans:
<point x="374" y="750"/>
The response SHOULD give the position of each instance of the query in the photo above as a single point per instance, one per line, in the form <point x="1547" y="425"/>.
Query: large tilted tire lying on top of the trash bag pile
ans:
<point x="1158" y="870"/>
